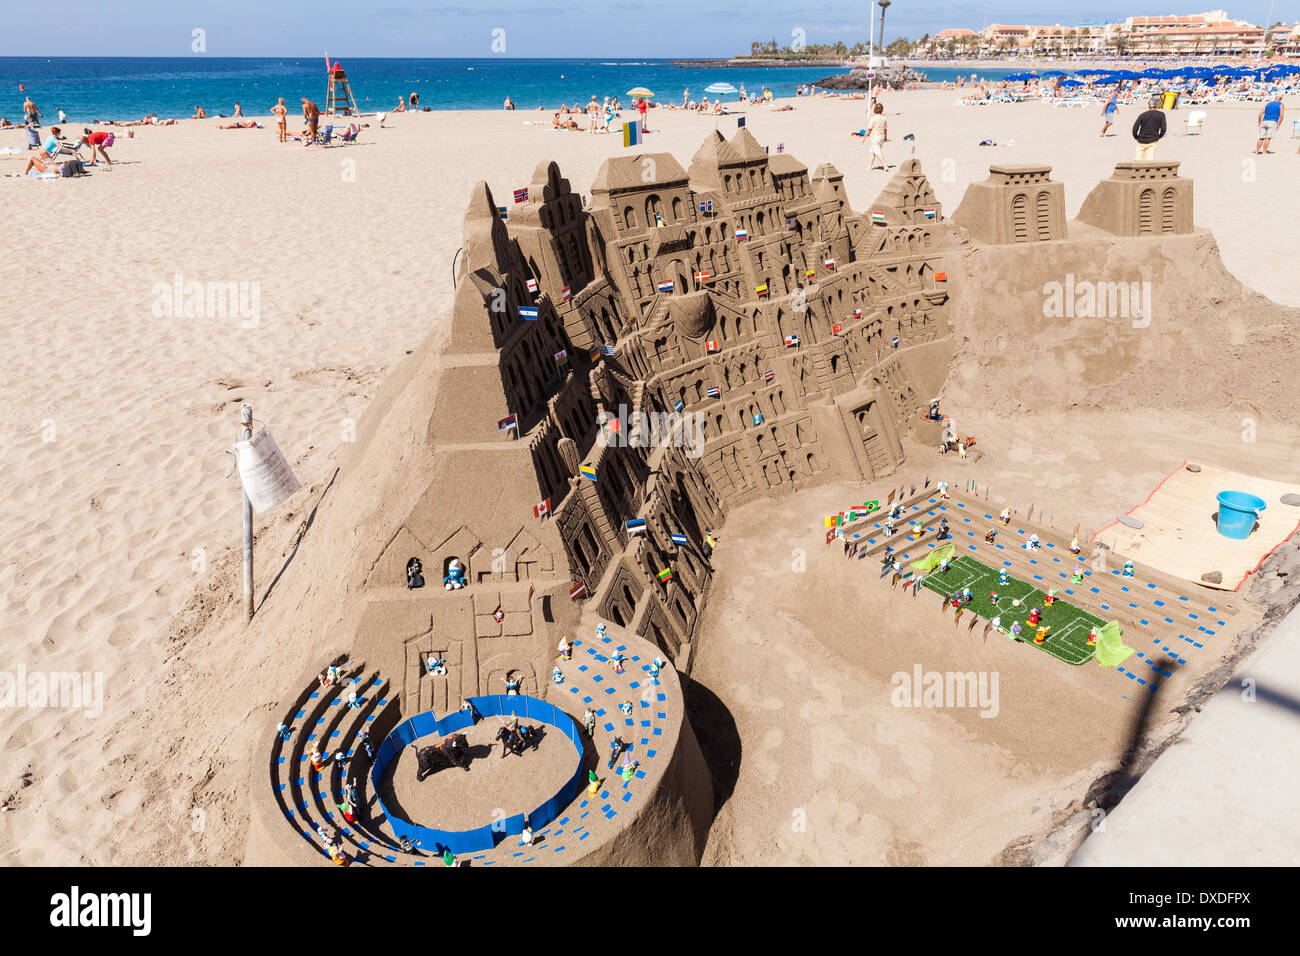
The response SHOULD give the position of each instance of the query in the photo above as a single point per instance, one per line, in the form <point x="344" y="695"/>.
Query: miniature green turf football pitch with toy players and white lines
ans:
<point x="1068" y="639"/>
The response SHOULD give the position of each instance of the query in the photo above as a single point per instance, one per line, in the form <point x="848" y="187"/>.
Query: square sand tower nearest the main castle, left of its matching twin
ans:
<point x="1015" y="205"/>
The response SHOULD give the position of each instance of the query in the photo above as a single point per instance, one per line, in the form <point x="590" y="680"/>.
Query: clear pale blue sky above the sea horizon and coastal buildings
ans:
<point x="534" y="28"/>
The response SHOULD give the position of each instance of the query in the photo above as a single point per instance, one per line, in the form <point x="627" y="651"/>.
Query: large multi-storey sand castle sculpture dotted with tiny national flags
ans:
<point x="618" y="375"/>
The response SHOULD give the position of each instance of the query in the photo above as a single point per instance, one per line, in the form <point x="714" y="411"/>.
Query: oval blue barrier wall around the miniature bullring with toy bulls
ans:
<point x="486" y="837"/>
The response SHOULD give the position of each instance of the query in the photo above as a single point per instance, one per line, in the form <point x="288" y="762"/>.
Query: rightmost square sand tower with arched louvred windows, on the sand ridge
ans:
<point x="1141" y="198"/>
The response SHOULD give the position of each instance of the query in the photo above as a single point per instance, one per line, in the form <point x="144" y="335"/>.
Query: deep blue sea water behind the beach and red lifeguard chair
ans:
<point x="129" y="88"/>
